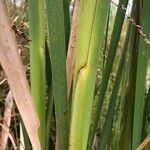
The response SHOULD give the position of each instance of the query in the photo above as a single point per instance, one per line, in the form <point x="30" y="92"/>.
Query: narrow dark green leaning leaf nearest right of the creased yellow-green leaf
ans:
<point x="108" y="67"/>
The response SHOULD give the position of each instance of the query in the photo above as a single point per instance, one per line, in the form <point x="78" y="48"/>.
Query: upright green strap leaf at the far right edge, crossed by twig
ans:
<point x="141" y="76"/>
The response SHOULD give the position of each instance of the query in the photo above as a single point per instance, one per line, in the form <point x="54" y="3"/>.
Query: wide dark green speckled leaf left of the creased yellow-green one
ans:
<point x="55" y="14"/>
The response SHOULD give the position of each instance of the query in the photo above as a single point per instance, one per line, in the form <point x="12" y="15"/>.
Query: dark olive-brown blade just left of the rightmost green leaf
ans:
<point x="128" y="106"/>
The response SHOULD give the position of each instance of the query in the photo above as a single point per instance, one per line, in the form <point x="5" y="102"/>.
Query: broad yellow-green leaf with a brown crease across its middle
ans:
<point x="89" y="40"/>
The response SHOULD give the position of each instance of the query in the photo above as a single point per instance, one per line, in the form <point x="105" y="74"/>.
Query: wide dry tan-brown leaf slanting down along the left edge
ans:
<point x="13" y="68"/>
